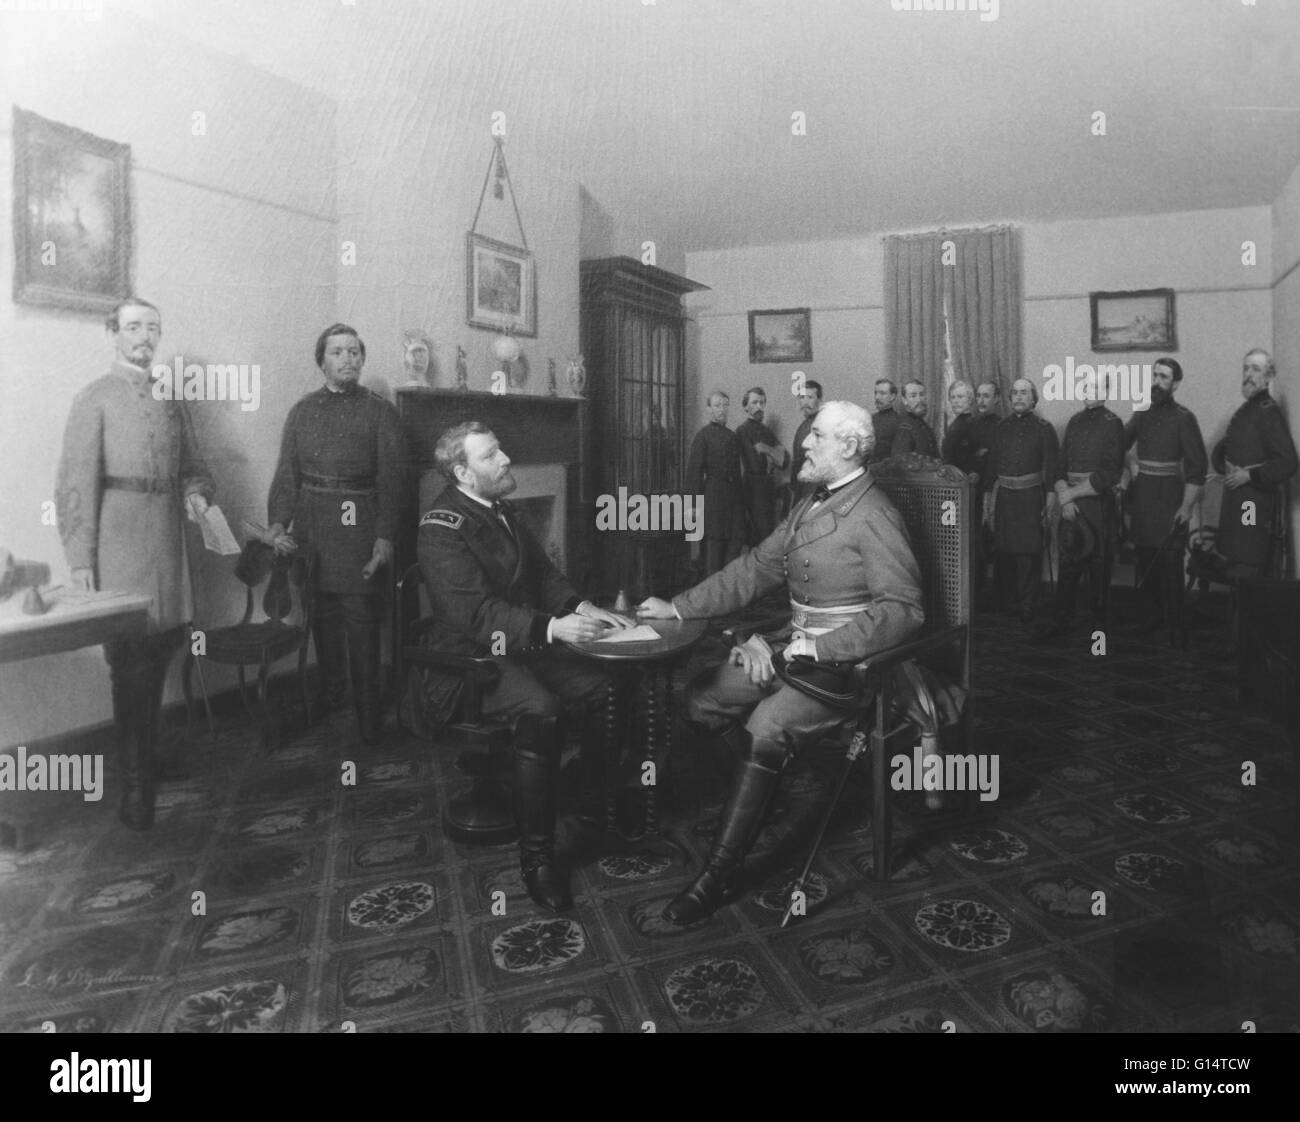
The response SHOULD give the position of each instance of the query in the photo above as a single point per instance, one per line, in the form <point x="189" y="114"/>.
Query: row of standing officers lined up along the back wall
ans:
<point x="1151" y="470"/>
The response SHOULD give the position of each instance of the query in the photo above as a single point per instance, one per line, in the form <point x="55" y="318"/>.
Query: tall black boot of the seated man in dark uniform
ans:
<point x="536" y="778"/>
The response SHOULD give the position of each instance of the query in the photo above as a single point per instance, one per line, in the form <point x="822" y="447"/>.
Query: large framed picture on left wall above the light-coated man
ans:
<point x="72" y="216"/>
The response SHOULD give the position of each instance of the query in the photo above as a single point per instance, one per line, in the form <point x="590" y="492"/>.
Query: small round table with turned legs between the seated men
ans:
<point x="658" y="662"/>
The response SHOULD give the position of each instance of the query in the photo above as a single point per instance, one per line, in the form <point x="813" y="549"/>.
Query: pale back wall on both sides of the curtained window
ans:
<point x="1223" y="307"/>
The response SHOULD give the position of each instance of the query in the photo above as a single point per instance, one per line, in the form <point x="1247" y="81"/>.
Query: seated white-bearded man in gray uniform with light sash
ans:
<point x="844" y="556"/>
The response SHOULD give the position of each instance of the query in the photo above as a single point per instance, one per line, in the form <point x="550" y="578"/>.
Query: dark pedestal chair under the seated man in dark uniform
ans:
<point x="483" y="817"/>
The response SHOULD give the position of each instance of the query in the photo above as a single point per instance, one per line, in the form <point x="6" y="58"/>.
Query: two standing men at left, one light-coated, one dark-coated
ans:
<point x="131" y="467"/>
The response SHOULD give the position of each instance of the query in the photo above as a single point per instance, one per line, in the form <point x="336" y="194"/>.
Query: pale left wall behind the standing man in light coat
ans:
<point x="235" y="240"/>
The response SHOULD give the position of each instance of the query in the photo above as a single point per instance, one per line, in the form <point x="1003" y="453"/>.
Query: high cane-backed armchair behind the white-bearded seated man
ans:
<point x="917" y="686"/>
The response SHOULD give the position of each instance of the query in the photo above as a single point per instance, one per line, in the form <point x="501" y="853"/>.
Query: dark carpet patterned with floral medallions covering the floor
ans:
<point x="1124" y="881"/>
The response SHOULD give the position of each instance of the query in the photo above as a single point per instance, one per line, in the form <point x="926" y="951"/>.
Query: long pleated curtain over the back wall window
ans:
<point x="960" y="320"/>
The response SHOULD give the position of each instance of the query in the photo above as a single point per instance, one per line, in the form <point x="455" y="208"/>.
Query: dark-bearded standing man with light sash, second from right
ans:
<point x="1165" y="491"/>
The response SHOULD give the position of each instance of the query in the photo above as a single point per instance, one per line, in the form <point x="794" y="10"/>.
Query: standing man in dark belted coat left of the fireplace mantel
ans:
<point x="336" y="496"/>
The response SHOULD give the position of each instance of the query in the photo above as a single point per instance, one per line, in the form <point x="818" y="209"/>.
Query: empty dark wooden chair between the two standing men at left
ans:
<point x="261" y="643"/>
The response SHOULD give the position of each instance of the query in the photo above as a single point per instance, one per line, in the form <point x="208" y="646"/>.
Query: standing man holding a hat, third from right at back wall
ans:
<point x="1093" y="461"/>
